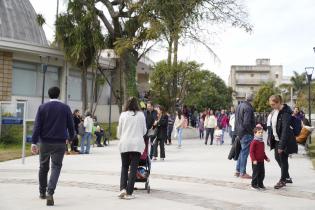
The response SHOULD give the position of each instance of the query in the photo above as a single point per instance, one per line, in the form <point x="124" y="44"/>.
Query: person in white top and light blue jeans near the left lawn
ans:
<point x="86" y="139"/>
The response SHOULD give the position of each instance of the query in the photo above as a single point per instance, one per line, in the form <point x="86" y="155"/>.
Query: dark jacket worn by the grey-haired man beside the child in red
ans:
<point x="244" y="120"/>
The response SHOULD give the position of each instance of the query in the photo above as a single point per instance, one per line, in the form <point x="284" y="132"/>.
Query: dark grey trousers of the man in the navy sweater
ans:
<point x="55" y="152"/>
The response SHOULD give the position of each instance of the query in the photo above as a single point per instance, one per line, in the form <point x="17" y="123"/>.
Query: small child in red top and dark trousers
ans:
<point x="258" y="155"/>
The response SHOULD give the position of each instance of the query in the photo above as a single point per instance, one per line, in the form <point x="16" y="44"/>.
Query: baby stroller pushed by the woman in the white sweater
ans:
<point x="144" y="168"/>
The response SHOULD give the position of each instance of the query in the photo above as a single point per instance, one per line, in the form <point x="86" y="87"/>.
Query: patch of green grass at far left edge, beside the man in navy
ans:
<point x="11" y="152"/>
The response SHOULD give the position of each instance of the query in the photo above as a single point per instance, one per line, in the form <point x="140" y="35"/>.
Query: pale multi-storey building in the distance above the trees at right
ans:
<point x="248" y="78"/>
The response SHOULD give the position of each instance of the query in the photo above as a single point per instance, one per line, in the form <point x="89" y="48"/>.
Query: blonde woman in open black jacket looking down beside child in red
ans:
<point x="282" y="139"/>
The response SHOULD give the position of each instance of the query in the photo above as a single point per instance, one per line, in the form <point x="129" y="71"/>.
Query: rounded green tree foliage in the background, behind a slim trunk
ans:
<point x="195" y="87"/>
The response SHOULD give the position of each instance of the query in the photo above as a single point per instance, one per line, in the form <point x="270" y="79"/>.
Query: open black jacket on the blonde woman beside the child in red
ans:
<point x="285" y="132"/>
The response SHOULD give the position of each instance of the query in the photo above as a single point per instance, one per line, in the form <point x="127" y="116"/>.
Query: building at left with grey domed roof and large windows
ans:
<point x="24" y="53"/>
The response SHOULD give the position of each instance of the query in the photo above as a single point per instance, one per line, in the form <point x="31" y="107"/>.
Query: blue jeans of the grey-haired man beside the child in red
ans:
<point x="242" y="158"/>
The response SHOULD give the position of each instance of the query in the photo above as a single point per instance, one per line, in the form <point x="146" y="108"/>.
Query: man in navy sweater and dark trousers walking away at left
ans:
<point x="53" y="123"/>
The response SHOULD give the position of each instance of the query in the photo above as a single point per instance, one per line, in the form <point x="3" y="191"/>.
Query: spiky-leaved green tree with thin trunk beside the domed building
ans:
<point x="78" y="33"/>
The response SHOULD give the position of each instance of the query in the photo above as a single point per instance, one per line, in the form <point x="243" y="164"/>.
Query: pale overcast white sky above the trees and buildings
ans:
<point x="283" y="31"/>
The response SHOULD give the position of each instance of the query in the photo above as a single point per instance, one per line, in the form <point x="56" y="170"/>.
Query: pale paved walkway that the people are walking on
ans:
<point x="194" y="177"/>
